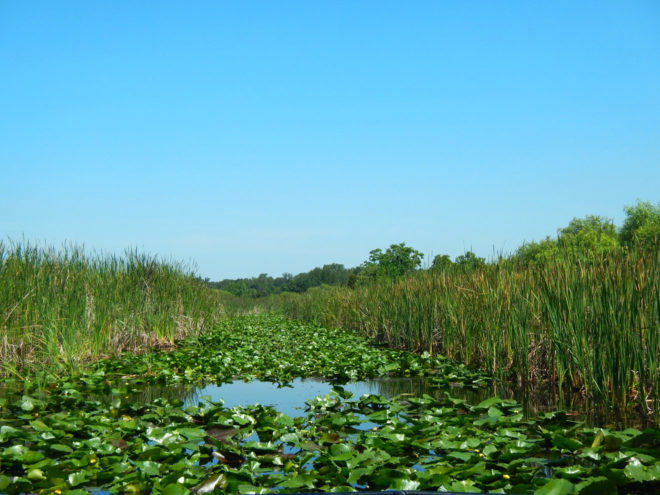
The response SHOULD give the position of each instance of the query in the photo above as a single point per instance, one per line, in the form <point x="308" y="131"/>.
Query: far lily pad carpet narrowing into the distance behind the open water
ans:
<point x="270" y="347"/>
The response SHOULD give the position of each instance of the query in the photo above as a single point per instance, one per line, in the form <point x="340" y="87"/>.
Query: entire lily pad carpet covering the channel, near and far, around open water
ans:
<point x="70" y="439"/>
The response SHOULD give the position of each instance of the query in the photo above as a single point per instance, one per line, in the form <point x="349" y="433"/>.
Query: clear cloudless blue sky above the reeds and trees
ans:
<point x="274" y="137"/>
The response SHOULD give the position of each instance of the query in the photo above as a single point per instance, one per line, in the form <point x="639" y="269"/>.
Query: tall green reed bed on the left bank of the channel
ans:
<point x="62" y="307"/>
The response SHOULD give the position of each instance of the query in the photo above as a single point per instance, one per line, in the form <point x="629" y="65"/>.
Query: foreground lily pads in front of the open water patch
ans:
<point x="69" y="444"/>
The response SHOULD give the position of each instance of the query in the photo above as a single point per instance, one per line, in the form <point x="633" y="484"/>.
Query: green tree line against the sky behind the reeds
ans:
<point x="587" y="237"/>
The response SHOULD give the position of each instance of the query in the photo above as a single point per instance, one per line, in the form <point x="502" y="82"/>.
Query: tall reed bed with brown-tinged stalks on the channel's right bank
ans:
<point x="584" y="324"/>
